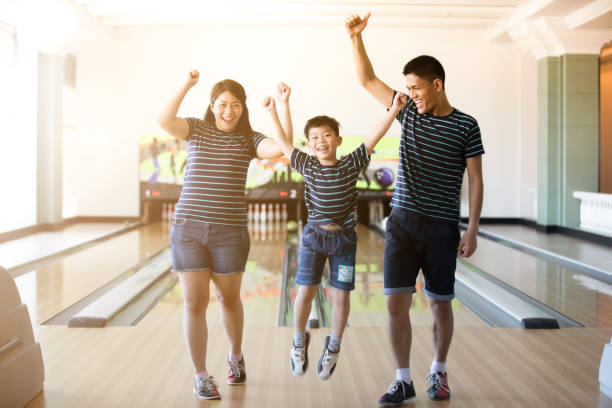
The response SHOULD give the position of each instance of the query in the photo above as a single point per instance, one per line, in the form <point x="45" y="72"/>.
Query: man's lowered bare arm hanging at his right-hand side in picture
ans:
<point x="467" y="245"/>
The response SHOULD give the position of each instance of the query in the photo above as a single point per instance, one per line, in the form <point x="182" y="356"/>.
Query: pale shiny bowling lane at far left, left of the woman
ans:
<point x="57" y="285"/>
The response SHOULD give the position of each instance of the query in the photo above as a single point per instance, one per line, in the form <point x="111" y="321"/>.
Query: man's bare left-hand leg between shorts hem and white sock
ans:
<point x="400" y="330"/>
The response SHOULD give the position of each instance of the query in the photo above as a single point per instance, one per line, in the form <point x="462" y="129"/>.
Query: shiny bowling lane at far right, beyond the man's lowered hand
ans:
<point x="579" y="297"/>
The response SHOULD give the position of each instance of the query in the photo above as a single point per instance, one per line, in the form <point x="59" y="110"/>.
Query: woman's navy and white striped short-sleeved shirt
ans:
<point x="217" y="165"/>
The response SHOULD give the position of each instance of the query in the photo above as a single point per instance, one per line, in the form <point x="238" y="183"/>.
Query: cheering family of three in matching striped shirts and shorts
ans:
<point x="210" y="240"/>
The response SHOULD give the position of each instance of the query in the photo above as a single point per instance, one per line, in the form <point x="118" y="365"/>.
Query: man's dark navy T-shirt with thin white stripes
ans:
<point x="432" y="159"/>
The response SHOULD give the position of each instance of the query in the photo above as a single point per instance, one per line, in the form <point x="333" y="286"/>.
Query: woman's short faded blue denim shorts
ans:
<point x="197" y="245"/>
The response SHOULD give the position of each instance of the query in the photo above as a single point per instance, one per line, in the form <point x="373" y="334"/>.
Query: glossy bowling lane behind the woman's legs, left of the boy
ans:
<point x="260" y="291"/>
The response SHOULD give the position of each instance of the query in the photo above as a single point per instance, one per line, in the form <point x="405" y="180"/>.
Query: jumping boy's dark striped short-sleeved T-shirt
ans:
<point x="329" y="191"/>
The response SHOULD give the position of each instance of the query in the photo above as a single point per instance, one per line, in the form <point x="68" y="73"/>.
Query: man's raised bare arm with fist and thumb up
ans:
<point x="365" y="73"/>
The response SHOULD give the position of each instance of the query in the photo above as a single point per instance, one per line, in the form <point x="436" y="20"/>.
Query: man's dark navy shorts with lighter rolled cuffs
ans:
<point x="415" y="242"/>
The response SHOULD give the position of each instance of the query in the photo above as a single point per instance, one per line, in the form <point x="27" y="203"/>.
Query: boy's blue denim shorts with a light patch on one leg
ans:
<point x="339" y="246"/>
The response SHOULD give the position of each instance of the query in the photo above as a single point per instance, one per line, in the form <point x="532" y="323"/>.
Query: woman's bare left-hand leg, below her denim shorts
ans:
<point x="195" y="285"/>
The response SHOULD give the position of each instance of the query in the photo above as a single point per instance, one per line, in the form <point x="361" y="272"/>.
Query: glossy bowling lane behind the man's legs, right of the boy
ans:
<point x="368" y="304"/>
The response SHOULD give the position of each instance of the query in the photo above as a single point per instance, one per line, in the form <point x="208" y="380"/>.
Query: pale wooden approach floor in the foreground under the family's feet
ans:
<point x="488" y="367"/>
